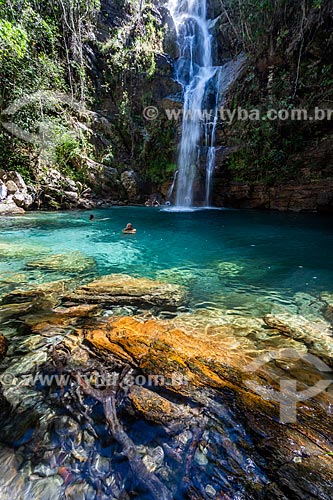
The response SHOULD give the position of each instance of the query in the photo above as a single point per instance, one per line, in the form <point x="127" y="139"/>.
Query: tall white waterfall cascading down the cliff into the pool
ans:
<point x="200" y="82"/>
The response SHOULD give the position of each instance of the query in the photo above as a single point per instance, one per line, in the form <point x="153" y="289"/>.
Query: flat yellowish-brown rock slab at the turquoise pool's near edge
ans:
<point x="121" y="289"/>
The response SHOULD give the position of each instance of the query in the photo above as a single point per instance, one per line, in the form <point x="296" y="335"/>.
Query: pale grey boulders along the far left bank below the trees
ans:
<point x="54" y="191"/>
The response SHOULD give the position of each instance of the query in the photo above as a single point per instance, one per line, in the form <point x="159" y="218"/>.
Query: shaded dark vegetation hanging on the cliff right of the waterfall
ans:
<point x="289" y="51"/>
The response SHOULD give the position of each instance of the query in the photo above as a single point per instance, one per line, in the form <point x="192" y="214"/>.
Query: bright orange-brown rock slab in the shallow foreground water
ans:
<point x="160" y="349"/>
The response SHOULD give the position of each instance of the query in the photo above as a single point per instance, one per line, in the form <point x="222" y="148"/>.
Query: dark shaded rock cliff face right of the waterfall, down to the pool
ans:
<point x="281" y="164"/>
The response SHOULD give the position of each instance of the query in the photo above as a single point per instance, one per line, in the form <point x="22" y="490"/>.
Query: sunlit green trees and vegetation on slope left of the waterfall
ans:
<point x="48" y="53"/>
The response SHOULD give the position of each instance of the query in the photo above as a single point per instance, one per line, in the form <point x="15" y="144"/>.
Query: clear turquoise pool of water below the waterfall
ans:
<point x="241" y="261"/>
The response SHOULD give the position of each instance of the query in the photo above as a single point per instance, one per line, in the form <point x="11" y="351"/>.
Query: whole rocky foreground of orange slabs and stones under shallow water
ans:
<point x="154" y="400"/>
